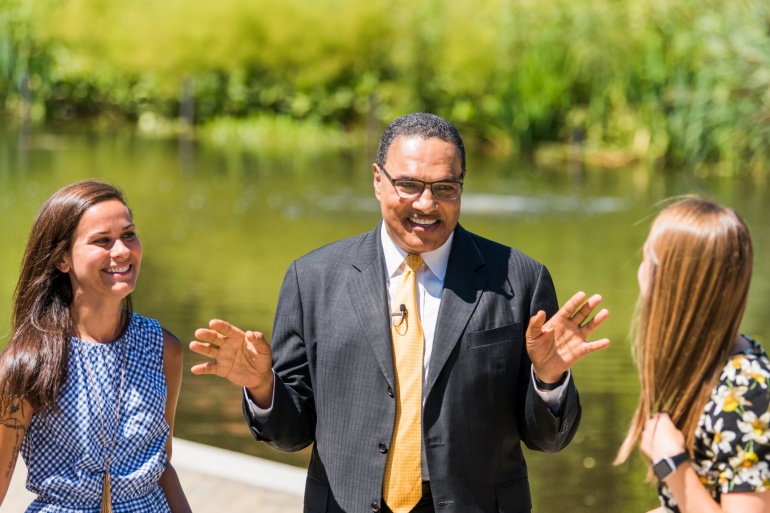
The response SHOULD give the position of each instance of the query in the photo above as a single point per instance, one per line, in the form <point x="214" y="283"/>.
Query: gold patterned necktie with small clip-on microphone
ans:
<point x="402" y="487"/>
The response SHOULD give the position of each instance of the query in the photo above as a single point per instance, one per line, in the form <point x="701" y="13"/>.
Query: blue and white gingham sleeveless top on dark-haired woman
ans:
<point x="64" y="451"/>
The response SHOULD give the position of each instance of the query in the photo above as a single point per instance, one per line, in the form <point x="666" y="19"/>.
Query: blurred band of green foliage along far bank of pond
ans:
<point x="684" y="82"/>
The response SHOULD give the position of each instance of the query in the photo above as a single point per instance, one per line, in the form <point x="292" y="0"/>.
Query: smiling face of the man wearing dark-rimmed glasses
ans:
<point x="423" y="223"/>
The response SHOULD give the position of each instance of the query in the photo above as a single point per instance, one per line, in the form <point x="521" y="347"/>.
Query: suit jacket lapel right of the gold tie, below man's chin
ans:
<point x="463" y="285"/>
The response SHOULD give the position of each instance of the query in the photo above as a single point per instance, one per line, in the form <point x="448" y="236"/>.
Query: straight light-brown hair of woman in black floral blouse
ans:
<point x="701" y="263"/>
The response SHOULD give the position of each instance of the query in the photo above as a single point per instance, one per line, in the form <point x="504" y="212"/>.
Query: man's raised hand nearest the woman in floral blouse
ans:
<point x="555" y="346"/>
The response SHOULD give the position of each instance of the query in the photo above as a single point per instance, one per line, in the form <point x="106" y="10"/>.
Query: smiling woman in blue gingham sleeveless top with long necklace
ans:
<point x="88" y="389"/>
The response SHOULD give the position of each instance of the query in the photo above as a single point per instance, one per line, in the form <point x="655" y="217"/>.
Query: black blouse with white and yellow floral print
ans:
<point x="732" y="441"/>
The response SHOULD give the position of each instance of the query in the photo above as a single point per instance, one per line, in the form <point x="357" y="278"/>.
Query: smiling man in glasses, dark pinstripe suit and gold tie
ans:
<point x="495" y="373"/>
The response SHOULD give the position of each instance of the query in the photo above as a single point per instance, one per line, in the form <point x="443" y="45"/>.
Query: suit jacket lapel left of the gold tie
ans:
<point x="369" y="298"/>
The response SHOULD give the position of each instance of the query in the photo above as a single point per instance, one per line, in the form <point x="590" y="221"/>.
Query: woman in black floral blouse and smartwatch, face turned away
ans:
<point x="703" y="416"/>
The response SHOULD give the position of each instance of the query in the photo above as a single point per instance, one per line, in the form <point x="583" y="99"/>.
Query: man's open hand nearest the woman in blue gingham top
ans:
<point x="244" y="358"/>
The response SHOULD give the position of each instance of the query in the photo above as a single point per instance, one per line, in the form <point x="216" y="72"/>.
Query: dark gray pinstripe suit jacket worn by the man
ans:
<point x="334" y="367"/>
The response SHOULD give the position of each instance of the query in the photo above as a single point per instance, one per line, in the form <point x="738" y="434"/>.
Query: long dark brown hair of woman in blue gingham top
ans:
<point x="33" y="367"/>
